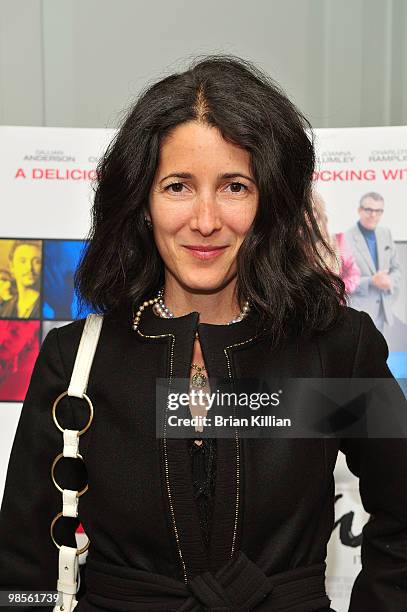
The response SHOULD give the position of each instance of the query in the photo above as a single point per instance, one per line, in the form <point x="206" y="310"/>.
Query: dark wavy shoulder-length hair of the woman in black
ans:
<point x="278" y="264"/>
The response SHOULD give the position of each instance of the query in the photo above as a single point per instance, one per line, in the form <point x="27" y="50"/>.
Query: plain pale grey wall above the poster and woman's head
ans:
<point x="78" y="63"/>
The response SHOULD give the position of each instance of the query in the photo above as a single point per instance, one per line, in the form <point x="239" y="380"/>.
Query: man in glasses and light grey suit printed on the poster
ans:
<point x="376" y="256"/>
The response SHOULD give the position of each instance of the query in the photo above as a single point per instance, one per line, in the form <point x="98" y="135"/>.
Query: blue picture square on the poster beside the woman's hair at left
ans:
<point x="60" y="260"/>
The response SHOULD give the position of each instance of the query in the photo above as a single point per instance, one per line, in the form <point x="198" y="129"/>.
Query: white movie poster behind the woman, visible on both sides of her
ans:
<point x="46" y="181"/>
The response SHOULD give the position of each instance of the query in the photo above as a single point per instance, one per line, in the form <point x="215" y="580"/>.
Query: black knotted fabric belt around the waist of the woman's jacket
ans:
<point x="240" y="585"/>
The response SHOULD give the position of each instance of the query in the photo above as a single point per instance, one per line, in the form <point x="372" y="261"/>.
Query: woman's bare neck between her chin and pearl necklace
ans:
<point x="218" y="308"/>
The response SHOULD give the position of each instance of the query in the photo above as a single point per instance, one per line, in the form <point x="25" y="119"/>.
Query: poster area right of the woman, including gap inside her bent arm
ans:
<point x="361" y="186"/>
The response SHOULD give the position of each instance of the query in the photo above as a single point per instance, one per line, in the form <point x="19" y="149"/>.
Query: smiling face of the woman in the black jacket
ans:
<point x="203" y="197"/>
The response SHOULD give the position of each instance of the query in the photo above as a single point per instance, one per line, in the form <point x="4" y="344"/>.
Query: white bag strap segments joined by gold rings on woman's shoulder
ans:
<point x="69" y="574"/>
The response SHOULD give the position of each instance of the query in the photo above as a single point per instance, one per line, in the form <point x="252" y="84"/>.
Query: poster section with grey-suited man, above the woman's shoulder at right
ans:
<point x="361" y="180"/>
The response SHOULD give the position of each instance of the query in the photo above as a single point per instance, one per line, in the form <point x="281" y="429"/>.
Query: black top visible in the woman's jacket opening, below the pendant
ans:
<point x="203" y="466"/>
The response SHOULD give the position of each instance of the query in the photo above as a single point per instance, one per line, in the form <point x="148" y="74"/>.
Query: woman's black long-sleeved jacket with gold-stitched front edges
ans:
<point x="274" y="498"/>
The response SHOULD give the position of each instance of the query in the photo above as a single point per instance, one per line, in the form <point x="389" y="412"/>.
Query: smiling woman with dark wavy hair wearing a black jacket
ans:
<point x="203" y="204"/>
